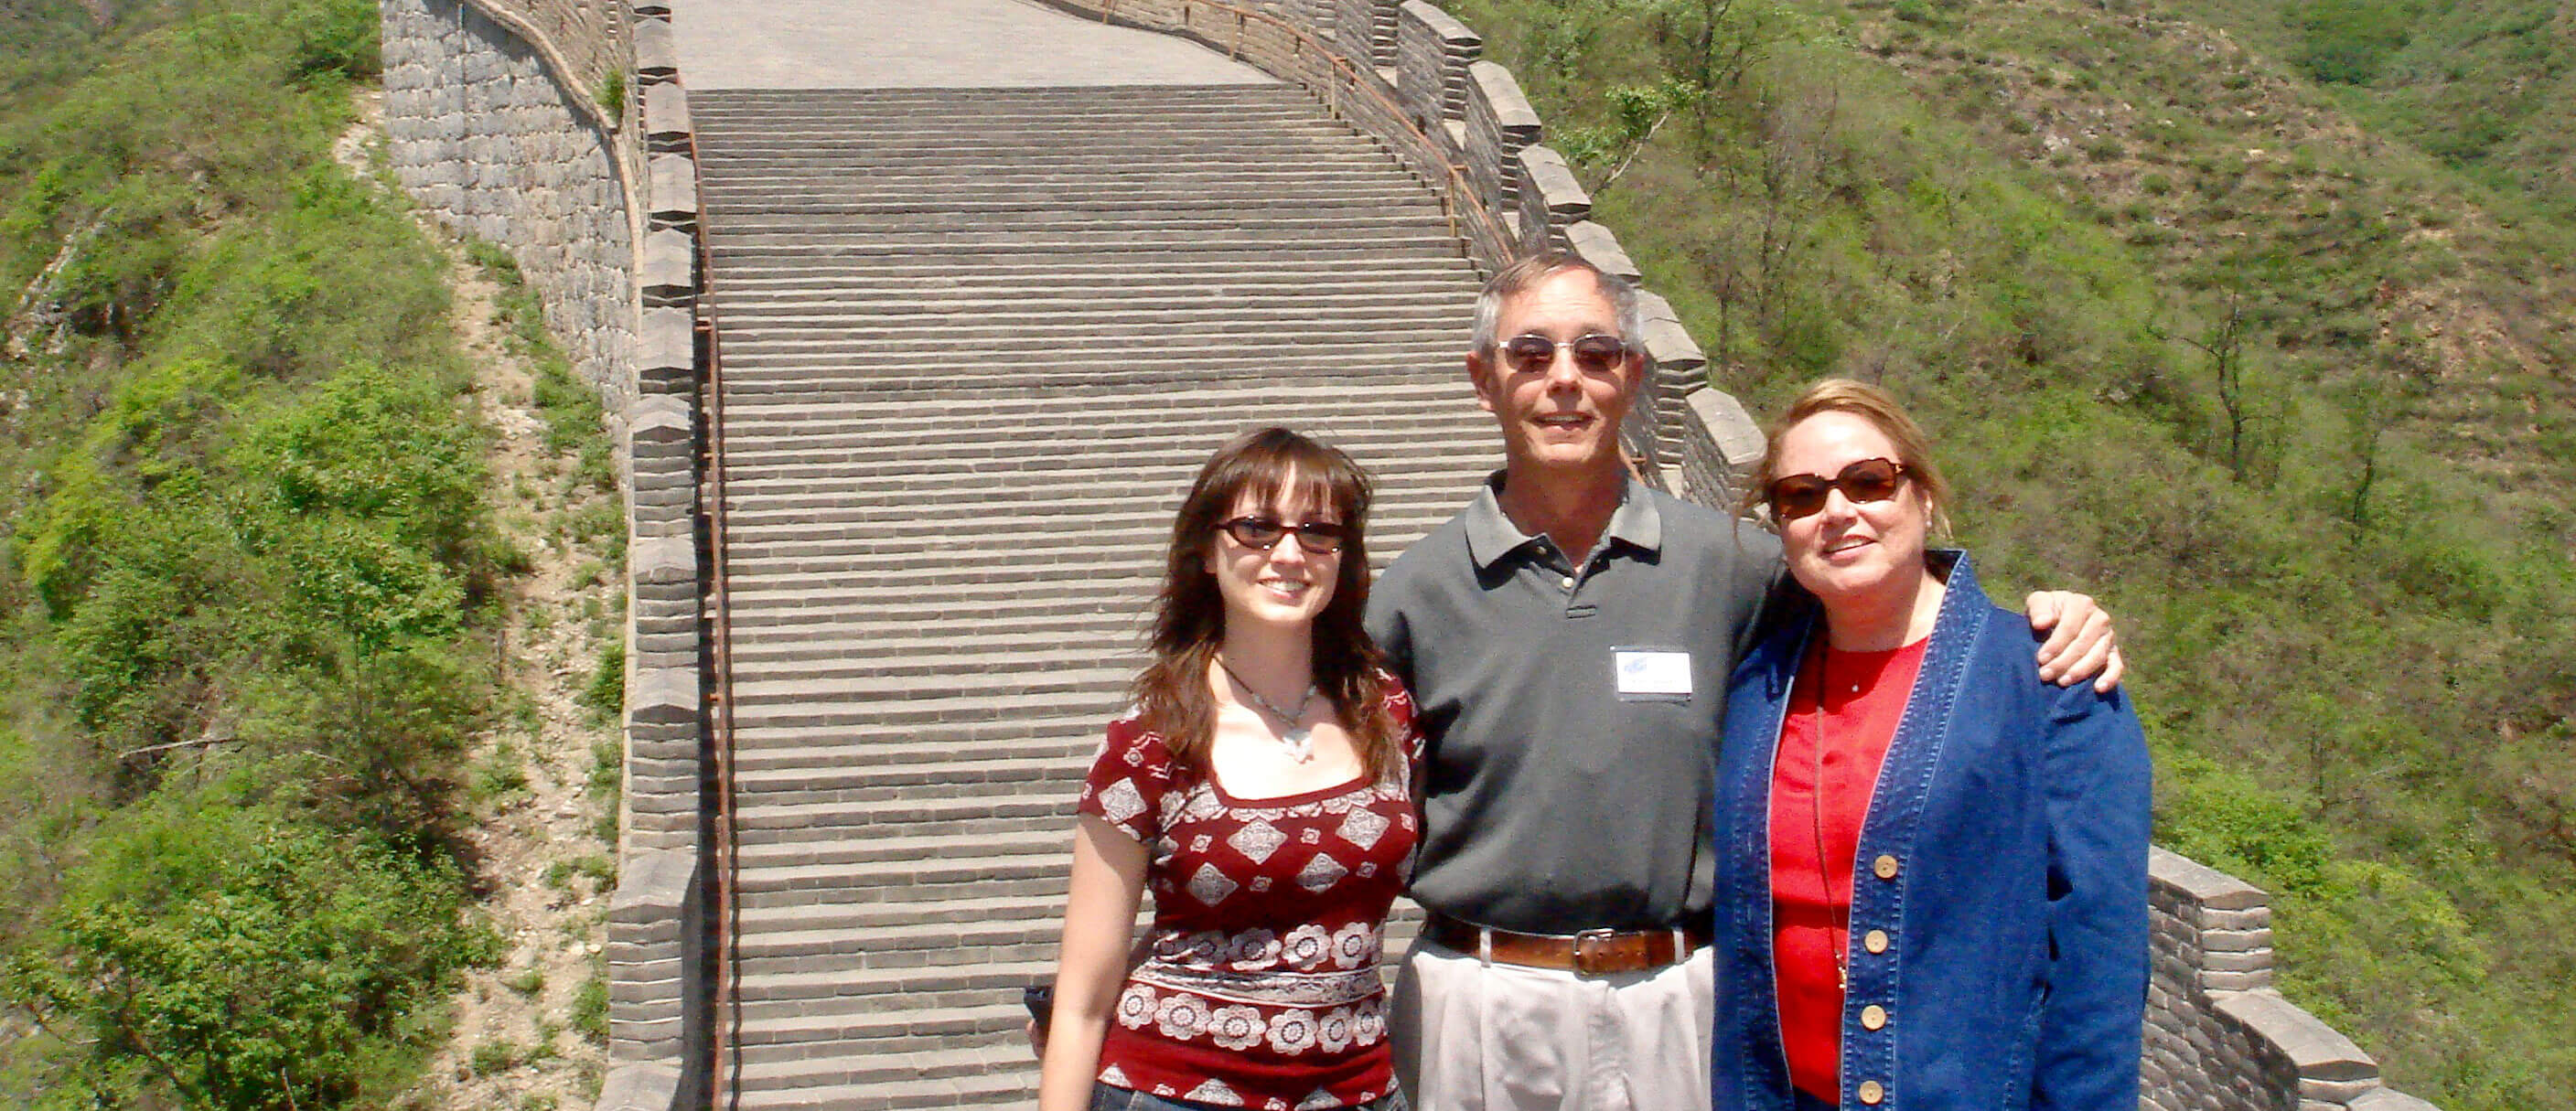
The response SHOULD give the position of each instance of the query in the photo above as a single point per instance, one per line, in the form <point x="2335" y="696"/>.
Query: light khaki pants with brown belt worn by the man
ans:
<point x="1501" y="1038"/>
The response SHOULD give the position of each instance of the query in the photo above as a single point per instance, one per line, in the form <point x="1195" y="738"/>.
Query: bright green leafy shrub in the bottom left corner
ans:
<point x="241" y="958"/>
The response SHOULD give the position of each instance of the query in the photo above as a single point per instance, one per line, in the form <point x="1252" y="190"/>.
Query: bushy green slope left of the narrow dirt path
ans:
<point x="249" y="574"/>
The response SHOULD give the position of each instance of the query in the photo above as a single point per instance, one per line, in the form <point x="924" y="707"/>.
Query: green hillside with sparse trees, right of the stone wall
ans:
<point x="2248" y="357"/>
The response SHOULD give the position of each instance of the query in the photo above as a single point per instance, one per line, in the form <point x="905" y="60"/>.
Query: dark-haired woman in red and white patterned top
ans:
<point x="1261" y="787"/>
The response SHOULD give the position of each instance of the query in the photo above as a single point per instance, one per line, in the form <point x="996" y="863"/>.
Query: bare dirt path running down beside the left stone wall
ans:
<point x="529" y="1032"/>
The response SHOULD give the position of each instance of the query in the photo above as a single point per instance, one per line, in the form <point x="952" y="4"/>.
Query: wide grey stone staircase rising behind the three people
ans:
<point x="975" y="344"/>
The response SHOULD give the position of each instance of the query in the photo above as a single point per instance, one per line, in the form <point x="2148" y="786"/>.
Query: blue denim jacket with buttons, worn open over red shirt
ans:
<point x="2016" y="818"/>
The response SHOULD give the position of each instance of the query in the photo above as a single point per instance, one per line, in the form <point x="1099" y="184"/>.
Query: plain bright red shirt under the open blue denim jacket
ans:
<point x="1812" y="893"/>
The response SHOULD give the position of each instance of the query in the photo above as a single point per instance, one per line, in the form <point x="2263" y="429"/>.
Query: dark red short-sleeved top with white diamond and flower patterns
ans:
<point x="1261" y="986"/>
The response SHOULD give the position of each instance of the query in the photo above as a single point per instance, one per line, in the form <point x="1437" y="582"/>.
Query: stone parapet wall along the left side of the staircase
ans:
<point x="550" y="128"/>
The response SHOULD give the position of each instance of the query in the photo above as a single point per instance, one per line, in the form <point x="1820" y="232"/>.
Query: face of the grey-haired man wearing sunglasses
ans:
<point x="1557" y="414"/>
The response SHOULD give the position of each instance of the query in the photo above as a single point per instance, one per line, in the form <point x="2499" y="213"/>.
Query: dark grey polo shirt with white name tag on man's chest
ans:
<point x="1573" y="713"/>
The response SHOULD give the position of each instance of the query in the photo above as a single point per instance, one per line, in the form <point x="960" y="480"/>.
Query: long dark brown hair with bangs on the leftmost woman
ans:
<point x="1173" y="695"/>
